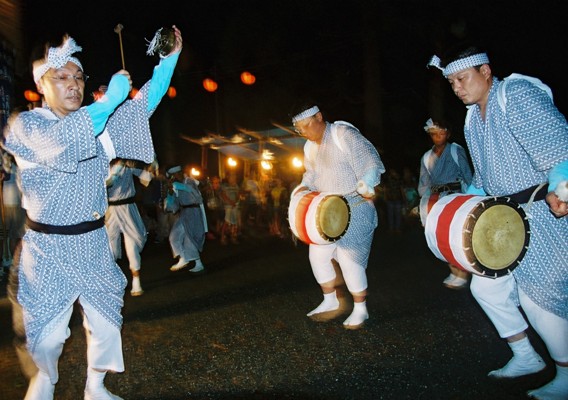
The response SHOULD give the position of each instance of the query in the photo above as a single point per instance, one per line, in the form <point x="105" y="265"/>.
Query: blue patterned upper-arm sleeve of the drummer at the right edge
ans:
<point x="537" y="124"/>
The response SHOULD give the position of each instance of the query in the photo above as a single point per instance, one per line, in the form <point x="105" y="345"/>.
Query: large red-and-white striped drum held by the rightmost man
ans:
<point x="480" y="234"/>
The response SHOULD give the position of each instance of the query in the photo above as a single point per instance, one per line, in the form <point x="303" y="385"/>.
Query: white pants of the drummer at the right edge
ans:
<point x="494" y="297"/>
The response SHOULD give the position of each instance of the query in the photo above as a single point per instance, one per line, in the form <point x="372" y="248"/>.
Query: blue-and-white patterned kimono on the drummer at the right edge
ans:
<point x="514" y="149"/>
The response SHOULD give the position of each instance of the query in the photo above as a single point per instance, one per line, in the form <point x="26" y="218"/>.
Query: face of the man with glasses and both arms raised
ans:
<point x="63" y="88"/>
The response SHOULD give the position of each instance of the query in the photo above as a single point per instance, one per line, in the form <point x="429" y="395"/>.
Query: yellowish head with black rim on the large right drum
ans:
<point x="500" y="236"/>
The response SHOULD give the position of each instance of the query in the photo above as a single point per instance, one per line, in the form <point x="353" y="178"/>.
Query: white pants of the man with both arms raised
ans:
<point x="104" y="343"/>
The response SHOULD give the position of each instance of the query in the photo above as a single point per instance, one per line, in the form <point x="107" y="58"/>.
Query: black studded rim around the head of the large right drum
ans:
<point x="467" y="240"/>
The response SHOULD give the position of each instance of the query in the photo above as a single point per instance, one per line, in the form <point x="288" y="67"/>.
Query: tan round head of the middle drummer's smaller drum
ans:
<point x="333" y="217"/>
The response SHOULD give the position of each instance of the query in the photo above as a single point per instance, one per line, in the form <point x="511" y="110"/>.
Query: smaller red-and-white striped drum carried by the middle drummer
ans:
<point x="318" y="217"/>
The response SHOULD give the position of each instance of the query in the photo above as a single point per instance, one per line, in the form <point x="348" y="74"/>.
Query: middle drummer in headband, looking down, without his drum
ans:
<point x="339" y="159"/>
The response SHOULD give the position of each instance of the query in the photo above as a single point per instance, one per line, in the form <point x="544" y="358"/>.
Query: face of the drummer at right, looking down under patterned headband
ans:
<point x="471" y="85"/>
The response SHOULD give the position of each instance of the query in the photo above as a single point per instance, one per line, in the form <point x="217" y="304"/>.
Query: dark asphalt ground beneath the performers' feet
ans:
<point x="239" y="331"/>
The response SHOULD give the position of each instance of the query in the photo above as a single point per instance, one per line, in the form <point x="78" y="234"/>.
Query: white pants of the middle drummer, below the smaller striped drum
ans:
<point x="320" y="259"/>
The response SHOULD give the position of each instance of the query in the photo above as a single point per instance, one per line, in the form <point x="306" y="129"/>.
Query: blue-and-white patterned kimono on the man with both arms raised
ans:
<point x="63" y="168"/>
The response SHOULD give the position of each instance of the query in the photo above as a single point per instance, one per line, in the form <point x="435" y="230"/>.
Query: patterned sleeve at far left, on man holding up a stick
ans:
<point x="59" y="144"/>
